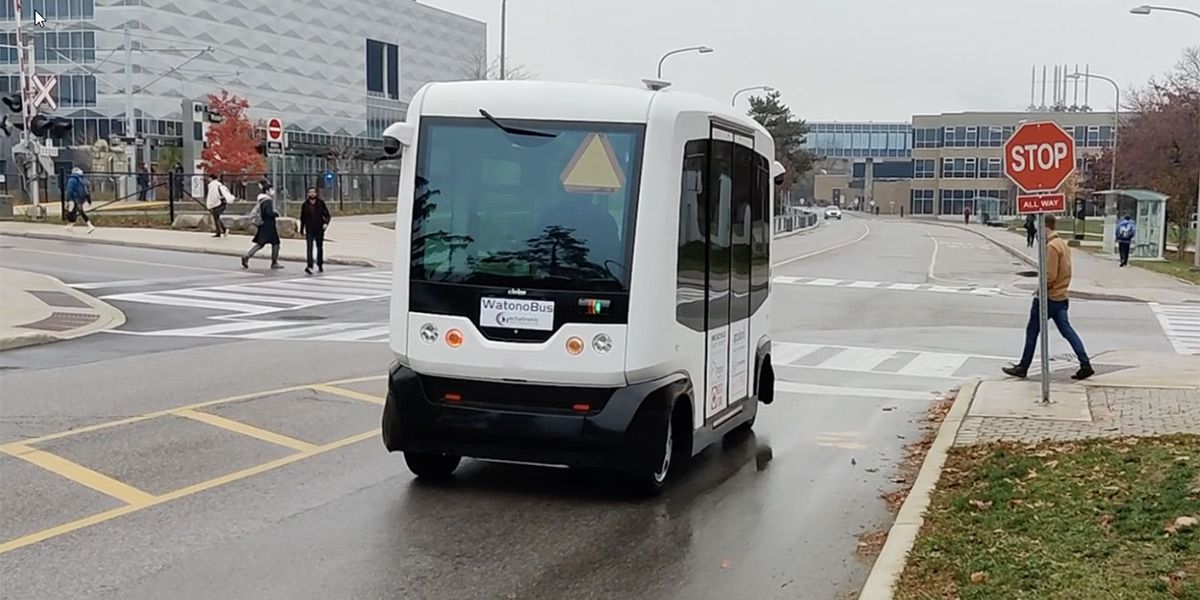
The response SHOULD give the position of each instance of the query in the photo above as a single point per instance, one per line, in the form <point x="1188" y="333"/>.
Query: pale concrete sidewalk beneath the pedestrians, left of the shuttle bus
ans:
<point x="349" y="242"/>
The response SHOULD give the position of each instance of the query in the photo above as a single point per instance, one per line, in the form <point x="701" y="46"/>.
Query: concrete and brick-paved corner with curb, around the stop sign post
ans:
<point x="1136" y="394"/>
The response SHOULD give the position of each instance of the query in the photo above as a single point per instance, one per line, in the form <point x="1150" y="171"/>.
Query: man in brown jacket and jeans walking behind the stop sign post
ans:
<point x="1058" y="284"/>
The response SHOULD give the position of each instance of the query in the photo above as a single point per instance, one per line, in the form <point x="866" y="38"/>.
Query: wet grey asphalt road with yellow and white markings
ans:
<point x="289" y="494"/>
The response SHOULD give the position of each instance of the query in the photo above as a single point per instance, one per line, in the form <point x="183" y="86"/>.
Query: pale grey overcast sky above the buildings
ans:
<point x="844" y="59"/>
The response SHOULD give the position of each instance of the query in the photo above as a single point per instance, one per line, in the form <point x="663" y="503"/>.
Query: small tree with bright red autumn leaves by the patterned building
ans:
<point x="233" y="143"/>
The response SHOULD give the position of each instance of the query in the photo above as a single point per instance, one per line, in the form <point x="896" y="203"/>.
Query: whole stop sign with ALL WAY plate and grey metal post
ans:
<point x="1039" y="159"/>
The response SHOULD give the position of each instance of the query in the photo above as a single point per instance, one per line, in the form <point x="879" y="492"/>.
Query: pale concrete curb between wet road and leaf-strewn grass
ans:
<point x="903" y="536"/>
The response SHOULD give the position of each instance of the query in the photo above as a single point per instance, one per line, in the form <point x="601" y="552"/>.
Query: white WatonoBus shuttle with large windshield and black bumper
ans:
<point x="583" y="277"/>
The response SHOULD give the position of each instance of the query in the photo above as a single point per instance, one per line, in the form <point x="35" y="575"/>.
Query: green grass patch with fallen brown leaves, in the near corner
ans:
<point x="1078" y="521"/>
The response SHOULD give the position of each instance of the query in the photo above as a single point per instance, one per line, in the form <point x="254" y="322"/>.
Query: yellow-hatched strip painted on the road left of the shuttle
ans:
<point x="70" y="481"/>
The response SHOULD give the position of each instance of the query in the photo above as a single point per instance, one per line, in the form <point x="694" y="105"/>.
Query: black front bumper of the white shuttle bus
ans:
<point x="526" y="423"/>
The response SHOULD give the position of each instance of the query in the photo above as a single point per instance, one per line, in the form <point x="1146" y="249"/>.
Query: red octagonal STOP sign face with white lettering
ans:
<point x="1040" y="157"/>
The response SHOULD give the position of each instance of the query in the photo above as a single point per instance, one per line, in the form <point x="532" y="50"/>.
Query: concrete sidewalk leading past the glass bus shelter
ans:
<point x="1095" y="278"/>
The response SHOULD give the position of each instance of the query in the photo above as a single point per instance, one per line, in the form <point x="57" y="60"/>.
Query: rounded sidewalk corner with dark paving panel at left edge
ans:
<point x="39" y="309"/>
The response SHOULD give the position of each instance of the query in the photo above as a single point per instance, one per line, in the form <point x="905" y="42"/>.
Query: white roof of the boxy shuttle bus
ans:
<point x="566" y="101"/>
